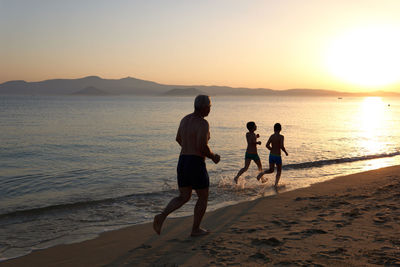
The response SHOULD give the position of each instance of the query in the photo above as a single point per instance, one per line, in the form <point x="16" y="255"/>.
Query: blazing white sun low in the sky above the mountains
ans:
<point x="367" y="56"/>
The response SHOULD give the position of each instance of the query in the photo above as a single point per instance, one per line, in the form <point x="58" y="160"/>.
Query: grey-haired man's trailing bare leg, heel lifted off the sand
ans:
<point x="184" y="195"/>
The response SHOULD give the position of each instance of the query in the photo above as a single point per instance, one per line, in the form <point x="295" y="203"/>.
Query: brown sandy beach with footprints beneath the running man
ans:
<point x="348" y="221"/>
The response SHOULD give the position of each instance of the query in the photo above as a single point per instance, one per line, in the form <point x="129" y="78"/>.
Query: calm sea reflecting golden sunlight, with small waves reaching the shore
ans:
<point x="72" y="167"/>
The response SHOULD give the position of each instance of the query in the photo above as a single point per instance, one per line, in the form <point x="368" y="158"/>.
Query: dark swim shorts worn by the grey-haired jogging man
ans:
<point x="192" y="172"/>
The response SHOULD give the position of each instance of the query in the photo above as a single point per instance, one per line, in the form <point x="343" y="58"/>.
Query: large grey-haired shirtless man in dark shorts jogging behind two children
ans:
<point x="193" y="135"/>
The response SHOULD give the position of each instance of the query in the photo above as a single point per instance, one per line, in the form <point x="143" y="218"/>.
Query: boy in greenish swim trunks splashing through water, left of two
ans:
<point x="251" y="151"/>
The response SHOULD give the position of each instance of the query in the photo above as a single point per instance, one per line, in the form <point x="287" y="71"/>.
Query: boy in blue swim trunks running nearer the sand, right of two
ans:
<point x="275" y="144"/>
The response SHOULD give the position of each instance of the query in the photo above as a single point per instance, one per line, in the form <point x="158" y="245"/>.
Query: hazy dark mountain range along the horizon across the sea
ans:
<point x="94" y="85"/>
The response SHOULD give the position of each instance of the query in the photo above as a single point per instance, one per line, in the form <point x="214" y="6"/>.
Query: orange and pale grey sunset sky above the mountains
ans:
<point x="344" y="45"/>
